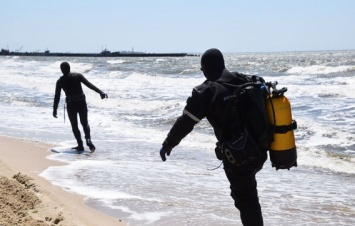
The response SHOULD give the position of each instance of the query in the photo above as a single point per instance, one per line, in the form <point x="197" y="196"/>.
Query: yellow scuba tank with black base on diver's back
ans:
<point x="282" y="151"/>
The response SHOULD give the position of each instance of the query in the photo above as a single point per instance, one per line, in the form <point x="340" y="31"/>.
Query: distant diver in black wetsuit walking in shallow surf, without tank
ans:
<point x="76" y="103"/>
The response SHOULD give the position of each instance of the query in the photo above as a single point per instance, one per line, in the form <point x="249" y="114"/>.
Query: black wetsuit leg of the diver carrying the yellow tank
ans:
<point x="243" y="187"/>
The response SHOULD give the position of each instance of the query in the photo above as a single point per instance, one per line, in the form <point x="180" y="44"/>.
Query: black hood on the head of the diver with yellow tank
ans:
<point x="212" y="63"/>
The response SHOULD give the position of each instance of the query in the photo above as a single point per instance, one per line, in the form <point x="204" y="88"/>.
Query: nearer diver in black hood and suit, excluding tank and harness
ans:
<point x="209" y="100"/>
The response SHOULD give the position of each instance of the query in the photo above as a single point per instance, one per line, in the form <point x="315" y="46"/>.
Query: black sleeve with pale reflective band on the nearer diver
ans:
<point x="193" y="112"/>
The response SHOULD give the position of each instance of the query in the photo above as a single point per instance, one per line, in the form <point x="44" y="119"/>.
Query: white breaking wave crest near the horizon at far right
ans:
<point x="319" y="69"/>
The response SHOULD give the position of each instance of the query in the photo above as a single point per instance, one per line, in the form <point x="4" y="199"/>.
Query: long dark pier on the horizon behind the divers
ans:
<point x="104" y="53"/>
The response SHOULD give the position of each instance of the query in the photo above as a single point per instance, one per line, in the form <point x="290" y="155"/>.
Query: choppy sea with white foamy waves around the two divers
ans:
<point x="127" y="179"/>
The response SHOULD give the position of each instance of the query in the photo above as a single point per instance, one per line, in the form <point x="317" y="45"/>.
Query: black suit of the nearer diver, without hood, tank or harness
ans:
<point x="208" y="100"/>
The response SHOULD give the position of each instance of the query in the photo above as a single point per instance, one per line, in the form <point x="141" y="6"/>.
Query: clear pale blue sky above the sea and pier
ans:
<point x="188" y="26"/>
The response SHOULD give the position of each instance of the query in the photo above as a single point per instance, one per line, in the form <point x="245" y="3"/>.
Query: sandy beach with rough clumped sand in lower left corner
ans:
<point x="28" y="199"/>
